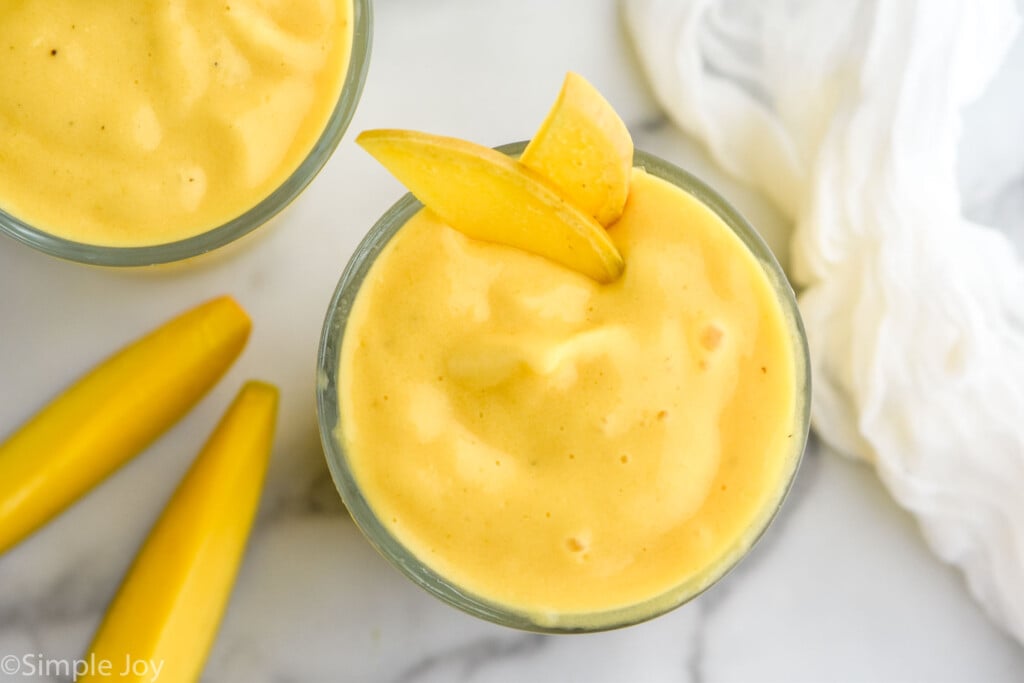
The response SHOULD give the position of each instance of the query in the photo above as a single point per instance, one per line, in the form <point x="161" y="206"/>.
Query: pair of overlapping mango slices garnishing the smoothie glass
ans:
<point x="572" y="182"/>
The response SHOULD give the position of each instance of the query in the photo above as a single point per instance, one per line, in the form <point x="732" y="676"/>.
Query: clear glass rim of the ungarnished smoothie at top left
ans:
<point x="252" y="219"/>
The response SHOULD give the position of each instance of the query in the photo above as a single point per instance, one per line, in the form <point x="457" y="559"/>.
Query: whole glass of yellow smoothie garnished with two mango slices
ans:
<point x="575" y="438"/>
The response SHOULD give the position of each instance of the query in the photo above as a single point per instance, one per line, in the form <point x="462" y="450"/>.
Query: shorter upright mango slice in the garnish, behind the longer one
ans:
<point x="585" y="150"/>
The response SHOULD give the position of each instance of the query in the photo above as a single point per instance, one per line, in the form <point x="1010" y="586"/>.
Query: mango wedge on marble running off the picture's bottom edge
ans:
<point x="170" y="605"/>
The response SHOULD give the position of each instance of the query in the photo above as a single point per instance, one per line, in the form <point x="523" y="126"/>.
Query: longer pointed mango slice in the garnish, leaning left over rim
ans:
<point x="490" y="197"/>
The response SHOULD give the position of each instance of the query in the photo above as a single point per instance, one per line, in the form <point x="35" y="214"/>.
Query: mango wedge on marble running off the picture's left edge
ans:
<point x="113" y="413"/>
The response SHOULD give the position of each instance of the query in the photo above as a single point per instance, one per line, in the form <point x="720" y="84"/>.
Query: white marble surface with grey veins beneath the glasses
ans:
<point x="841" y="589"/>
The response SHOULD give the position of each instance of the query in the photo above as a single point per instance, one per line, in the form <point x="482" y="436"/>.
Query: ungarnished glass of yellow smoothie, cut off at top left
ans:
<point x="142" y="133"/>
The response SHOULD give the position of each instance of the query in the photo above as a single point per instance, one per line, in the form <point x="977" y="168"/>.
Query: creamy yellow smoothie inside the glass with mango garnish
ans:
<point x="564" y="448"/>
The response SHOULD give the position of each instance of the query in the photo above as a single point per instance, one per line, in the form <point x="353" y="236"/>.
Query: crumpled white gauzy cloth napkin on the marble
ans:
<point x="847" y="115"/>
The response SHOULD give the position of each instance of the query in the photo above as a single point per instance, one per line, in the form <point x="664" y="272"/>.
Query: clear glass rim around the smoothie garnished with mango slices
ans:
<point x="328" y="369"/>
